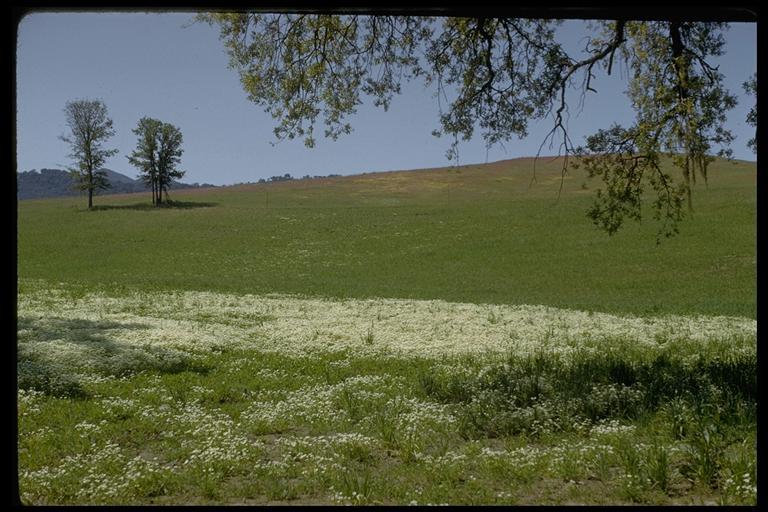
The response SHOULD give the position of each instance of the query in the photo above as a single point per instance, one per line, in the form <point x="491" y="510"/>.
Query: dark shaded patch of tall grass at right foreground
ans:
<point x="548" y="390"/>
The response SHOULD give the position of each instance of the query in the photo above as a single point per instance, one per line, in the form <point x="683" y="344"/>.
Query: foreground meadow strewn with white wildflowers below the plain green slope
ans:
<point x="129" y="396"/>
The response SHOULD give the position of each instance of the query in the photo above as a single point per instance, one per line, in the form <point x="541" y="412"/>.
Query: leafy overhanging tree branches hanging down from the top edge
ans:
<point x="495" y="74"/>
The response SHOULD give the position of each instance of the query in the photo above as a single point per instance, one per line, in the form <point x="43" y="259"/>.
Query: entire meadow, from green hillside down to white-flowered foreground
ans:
<point x="459" y="336"/>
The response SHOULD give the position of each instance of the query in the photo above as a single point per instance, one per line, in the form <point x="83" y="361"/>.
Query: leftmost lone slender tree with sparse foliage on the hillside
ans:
<point x="90" y="127"/>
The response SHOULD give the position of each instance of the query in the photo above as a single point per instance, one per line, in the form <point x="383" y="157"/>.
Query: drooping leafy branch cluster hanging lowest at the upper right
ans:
<point x="680" y="105"/>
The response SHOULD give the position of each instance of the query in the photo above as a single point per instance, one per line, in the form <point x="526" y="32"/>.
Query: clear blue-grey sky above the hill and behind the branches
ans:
<point x="162" y="66"/>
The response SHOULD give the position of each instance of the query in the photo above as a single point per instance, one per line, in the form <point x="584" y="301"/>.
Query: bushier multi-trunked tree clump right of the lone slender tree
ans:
<point x="158" y="152"/>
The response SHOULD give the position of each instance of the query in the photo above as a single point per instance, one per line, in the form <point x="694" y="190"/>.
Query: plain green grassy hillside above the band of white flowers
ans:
<point x="478" y="234"/>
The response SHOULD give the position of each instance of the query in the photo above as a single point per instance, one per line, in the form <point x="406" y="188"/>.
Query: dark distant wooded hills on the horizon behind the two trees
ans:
<point x="56" y="183"/>
